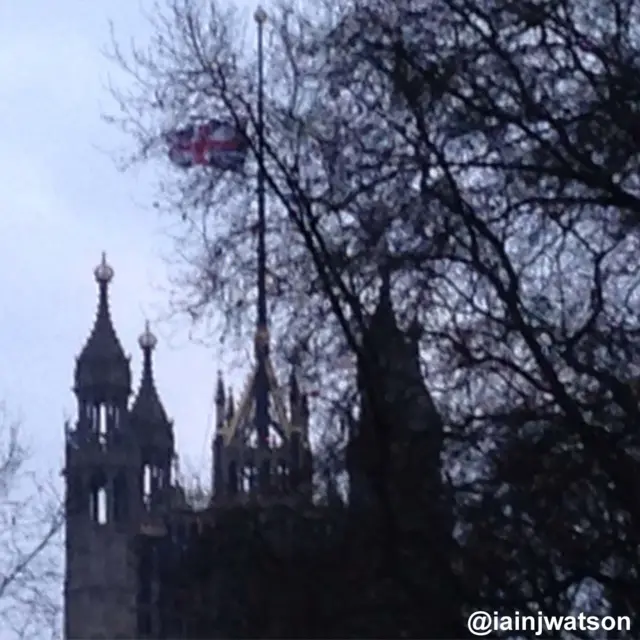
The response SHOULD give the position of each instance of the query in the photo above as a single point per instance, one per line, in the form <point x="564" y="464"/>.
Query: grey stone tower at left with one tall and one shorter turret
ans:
<point x="117" y="465"/>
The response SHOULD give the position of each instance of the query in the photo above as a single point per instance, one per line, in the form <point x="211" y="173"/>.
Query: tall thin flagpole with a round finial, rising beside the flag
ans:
<point x="262" y="335"/>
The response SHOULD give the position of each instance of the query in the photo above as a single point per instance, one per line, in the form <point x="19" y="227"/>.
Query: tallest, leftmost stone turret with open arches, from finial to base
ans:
<point x="101" y="475"/>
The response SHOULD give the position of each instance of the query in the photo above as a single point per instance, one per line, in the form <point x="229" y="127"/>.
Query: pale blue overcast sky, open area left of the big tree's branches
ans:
<point x="62" y="202"/>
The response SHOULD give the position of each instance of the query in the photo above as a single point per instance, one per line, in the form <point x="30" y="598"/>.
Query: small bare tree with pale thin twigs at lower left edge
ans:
<point x="30" y="542"/>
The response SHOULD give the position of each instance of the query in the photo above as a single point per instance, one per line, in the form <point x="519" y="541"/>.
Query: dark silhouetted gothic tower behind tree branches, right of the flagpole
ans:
<point x="394" y="460"/>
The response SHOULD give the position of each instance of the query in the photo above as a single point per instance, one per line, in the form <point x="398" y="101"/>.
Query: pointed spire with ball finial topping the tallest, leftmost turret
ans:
<point x="102" y="364"/>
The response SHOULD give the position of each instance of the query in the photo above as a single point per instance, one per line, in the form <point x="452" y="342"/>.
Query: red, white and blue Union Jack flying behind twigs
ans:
<point x="216" y="143"/>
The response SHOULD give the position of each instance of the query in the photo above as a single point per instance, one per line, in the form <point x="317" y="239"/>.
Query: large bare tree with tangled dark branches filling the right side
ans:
<point x="486" y="155"/>
